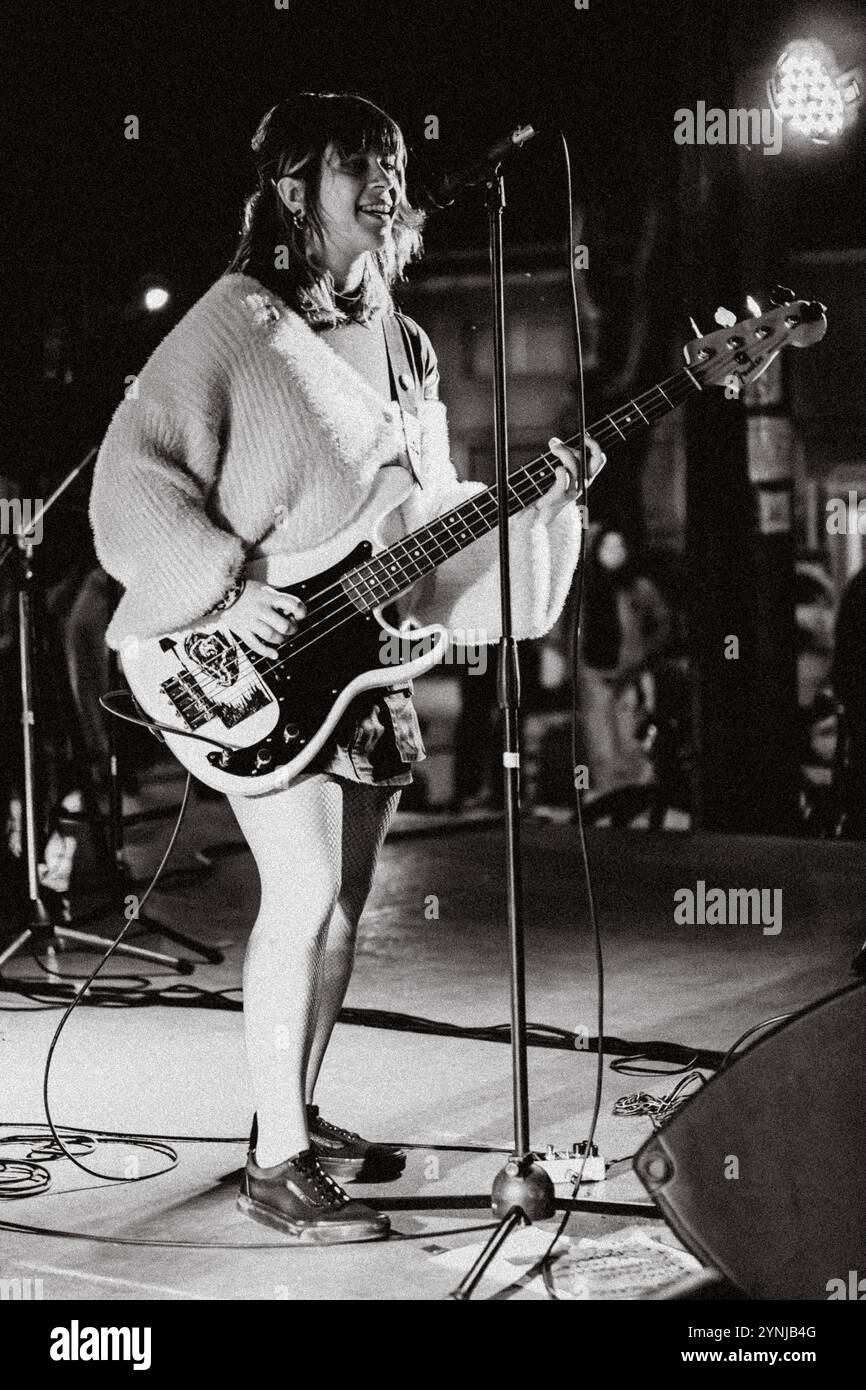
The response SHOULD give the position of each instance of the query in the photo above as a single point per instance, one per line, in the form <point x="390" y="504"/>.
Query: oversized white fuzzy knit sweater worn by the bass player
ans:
<point x="245" y="415"/>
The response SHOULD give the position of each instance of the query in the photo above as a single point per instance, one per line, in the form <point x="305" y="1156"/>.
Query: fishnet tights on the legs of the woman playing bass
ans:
<point x="316" y="846"/>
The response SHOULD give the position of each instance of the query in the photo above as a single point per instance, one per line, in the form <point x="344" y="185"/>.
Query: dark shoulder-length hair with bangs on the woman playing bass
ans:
<point x="293" y="140"/>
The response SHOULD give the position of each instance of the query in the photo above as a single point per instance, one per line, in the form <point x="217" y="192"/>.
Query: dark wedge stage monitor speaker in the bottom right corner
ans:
<point x="764" y="1174"/>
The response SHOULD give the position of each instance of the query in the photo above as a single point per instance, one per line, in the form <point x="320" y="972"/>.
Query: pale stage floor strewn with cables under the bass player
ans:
<point x="181" y="1072"/>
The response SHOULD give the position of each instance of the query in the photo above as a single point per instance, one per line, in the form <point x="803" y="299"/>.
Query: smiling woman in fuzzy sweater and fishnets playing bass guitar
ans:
<point x="261" y="426"/>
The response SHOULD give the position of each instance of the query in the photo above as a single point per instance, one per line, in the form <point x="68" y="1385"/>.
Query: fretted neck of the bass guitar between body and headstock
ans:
<point x="395" y="571"/>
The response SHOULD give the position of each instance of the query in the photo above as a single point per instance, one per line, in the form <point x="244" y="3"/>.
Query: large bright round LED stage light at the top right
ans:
<point x="811" y="97"/>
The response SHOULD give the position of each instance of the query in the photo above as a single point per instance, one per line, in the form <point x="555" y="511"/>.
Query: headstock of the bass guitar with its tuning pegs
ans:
<point x="749" y="348"/>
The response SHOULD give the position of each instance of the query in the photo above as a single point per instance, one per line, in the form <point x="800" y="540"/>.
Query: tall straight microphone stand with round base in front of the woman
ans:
<point x="523" y="1192"/>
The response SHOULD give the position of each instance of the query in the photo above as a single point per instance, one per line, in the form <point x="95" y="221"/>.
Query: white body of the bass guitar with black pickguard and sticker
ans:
<point x="261" y="722"/>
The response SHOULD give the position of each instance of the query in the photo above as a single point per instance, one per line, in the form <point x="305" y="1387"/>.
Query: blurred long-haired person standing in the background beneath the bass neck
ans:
<point x="626" y="625"/>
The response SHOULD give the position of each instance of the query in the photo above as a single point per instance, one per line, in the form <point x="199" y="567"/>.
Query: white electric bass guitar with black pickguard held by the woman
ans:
<point x="247" y="725"/>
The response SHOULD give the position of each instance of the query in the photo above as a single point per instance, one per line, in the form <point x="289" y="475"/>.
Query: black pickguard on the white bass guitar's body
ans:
<point x="307" y="685"/>
